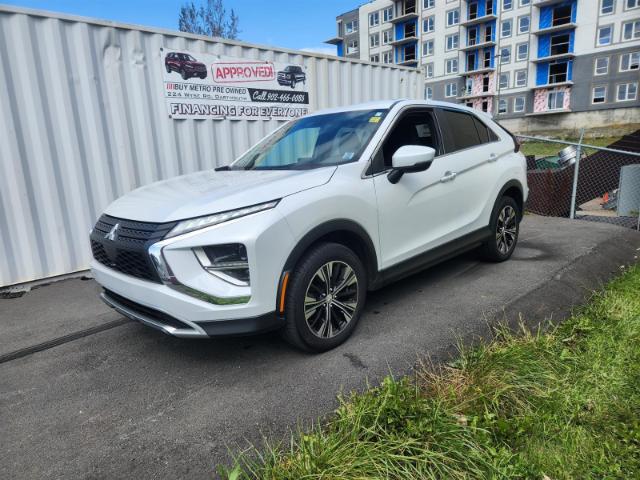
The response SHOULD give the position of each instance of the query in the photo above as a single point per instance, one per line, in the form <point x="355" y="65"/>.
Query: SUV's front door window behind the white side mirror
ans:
<point x="413" y="128"/>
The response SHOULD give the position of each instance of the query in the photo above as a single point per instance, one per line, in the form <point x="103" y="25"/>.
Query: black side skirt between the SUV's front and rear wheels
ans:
<point x="430" y="258"/>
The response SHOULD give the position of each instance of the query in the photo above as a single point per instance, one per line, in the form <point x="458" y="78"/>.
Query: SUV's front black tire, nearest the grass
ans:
<point x="306" y="281"/>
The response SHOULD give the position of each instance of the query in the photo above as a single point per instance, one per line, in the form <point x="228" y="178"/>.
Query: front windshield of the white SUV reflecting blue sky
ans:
<point x="313" y="142"/>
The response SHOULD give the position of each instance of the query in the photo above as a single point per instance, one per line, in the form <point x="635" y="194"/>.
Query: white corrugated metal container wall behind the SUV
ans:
<point x="83" y="120"/>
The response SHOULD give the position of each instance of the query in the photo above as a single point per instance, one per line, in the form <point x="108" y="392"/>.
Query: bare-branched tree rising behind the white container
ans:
<point x="208" y="18"/>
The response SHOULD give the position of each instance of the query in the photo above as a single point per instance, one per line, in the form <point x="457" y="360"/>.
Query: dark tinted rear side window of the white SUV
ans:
<point x="462" y="130"/>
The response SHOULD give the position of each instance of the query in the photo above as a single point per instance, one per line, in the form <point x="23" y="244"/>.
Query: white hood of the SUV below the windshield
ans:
<point x="208" y="192"/>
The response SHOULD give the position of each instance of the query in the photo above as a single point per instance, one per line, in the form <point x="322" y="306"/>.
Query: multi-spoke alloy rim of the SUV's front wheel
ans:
<point x="331" y="299"/>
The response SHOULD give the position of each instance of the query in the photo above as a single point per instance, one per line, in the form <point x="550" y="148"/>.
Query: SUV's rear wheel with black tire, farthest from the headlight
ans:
<point x="505" y="228"/>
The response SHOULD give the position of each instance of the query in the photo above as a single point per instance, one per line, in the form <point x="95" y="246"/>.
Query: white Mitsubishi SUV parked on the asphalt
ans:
<point x="294" y="233"/>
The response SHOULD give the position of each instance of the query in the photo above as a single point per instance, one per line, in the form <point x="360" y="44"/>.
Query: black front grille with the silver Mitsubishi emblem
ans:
<point x="127" y="252"/>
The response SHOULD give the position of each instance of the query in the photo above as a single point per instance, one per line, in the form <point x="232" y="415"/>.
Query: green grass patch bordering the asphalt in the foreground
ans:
<point x="564" y="404"/>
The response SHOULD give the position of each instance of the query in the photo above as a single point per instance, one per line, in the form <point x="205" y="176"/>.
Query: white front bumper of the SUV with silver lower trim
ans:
<point x="194" y="303"/>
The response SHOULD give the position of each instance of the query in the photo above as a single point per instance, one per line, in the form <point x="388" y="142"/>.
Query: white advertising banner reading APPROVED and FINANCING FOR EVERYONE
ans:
<point x="201" y="86"/>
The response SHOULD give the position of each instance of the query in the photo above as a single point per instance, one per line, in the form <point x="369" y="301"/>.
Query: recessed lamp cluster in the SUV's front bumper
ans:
<point x="228" y="262"/>
